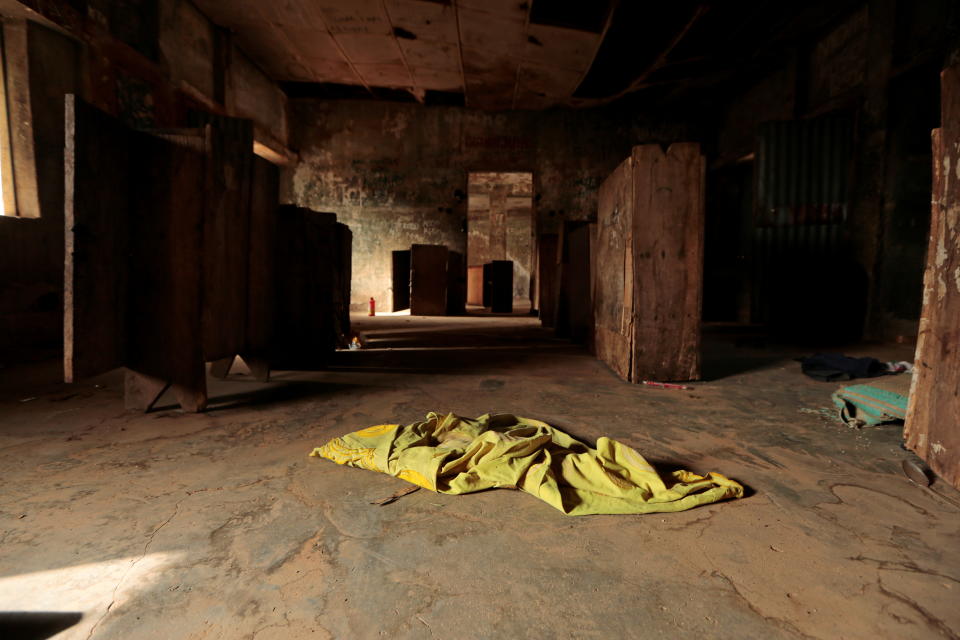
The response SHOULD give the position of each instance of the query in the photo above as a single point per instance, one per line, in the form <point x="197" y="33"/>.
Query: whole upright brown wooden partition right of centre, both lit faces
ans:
<point x="649" y="264"/>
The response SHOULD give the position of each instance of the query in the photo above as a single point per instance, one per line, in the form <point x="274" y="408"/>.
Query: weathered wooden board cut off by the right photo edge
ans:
<point x="932" y="427"/>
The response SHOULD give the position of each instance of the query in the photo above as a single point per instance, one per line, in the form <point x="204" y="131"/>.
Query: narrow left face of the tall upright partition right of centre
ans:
<point x="613" y="279"/>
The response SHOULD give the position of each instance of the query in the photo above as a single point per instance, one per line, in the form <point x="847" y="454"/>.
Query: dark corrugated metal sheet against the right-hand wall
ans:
<point x="802" y="195"/>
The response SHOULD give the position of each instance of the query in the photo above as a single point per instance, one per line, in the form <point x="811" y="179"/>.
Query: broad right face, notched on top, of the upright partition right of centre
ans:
<point x="668" y="261"/>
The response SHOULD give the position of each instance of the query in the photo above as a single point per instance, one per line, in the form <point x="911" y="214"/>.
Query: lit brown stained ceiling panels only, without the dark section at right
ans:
<point x="499" y="54"/>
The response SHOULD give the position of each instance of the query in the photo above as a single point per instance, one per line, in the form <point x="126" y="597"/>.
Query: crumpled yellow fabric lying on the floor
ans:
<point x="455" y="455"/>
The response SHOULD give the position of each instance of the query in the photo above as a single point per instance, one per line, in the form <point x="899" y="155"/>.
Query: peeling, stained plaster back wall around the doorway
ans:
<point x="397" y="173"/>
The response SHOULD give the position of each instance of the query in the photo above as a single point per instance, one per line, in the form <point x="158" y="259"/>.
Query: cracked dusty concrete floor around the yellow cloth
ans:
<point x="218" y="525"/>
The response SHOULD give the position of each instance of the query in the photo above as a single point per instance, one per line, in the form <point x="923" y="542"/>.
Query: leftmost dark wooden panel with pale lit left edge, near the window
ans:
<point x="96" y="206"/>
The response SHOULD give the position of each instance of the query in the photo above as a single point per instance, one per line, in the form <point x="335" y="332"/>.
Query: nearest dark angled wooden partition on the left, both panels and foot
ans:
<point x="132" y="270"/>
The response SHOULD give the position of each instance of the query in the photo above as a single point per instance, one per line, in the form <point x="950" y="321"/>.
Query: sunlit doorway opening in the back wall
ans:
<point x="500" y="227"/>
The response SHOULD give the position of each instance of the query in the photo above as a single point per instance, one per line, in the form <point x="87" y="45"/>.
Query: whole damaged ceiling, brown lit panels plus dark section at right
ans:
<point x="508" y="54"/>
